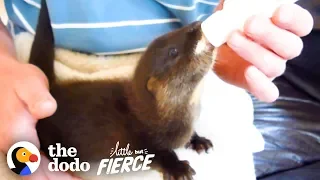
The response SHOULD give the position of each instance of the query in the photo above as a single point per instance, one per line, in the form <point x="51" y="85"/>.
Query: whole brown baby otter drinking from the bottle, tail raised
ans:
<point x="154" y="111"/>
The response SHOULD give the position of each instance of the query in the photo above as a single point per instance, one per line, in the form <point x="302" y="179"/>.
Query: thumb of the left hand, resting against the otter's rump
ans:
<point x="34" y="93"/>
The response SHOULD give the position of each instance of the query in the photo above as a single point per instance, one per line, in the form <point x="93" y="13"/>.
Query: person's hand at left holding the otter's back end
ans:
<point x="24" y="98"/>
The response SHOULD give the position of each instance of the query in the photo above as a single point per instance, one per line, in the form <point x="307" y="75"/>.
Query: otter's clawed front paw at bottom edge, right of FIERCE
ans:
<point x="181" y="170"/>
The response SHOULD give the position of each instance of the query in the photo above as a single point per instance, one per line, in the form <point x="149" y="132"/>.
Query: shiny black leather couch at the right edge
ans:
<point x="291" y="125"/>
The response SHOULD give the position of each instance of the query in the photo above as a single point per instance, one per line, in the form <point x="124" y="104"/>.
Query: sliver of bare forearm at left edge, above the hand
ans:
<point x="7" y="48"/>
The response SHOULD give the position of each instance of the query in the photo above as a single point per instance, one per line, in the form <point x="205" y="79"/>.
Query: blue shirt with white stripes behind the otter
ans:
<point x="108" y="26"/>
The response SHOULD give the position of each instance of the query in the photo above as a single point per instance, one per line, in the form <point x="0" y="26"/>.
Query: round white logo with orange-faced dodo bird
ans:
<point x="23" y="158"/>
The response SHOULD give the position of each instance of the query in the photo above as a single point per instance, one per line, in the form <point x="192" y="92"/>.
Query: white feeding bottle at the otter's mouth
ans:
<point x="233" y="16"/>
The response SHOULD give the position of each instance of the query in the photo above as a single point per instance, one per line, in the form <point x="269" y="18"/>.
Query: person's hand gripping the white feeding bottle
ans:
<point x="253" y="58"/>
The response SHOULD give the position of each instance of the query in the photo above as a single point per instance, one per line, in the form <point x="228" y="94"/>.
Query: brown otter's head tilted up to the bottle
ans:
<point x="172" y="67"/>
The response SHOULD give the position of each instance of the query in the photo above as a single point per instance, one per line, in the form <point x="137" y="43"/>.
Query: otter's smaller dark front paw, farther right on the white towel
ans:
<point x="199" y="143"/>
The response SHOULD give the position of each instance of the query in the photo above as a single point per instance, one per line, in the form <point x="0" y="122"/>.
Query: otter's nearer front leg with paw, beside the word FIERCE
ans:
<point x="172" y="167"/>
